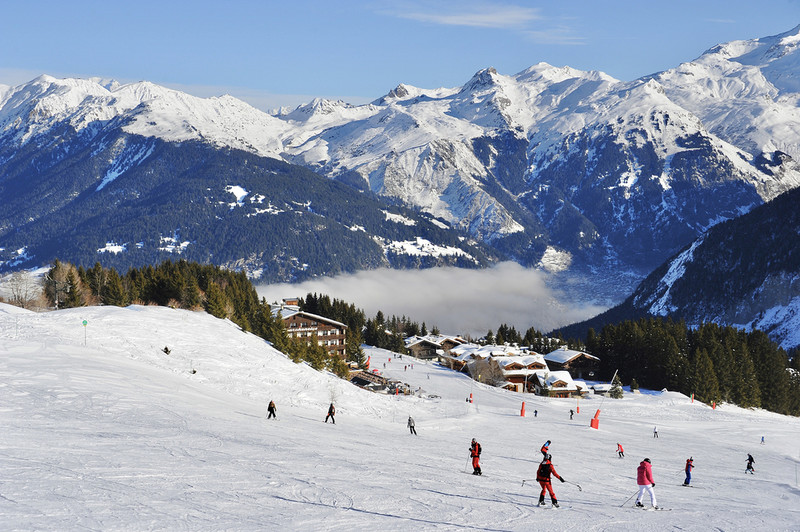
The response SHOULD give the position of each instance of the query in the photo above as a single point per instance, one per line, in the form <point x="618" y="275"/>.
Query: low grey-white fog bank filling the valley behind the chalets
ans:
<point x="456" y="300"/>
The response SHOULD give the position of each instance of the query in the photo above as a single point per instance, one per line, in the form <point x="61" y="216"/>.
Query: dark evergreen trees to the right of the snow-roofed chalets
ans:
<point x="714" y="362"/>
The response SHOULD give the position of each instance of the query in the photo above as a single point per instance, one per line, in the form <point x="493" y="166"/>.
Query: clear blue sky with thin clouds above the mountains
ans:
<point x="272" y="53"/>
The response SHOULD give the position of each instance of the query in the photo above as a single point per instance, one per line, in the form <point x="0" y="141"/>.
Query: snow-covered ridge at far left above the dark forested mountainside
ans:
<point x="148" y="109"/>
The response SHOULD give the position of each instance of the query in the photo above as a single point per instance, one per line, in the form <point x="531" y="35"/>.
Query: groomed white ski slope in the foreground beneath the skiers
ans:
<point x="101" y="430"/>
